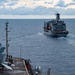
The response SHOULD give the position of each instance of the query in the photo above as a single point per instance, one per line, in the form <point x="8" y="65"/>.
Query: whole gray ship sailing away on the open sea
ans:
<point x="56" y="27"/>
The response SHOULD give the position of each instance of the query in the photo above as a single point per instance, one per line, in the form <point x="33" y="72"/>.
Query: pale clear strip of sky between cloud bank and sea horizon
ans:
<point x="35" y="16"/>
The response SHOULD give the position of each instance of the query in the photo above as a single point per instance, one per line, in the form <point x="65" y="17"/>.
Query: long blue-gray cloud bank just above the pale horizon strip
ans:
<point x="37" y="11"/>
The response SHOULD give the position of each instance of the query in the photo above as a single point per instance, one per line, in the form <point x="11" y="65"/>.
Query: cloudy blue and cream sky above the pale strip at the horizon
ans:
<point x="37" y="7"/>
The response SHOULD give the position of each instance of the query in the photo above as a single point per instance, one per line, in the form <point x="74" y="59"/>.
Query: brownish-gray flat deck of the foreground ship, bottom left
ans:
<point x="19" y="68"/>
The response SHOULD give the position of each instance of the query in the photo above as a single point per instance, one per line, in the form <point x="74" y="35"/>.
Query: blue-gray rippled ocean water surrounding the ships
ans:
<point x="27" y="40"/>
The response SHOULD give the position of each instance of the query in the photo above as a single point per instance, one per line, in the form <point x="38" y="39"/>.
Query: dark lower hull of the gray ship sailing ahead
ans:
<point x="56" y="34"/>
